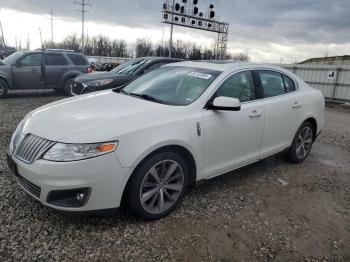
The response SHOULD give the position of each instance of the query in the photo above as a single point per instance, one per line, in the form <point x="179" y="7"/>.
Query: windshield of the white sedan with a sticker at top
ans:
<point x="172" y="85"/>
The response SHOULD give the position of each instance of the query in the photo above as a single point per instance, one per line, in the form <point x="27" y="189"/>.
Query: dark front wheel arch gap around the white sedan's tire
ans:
<point x="181" y="150"/>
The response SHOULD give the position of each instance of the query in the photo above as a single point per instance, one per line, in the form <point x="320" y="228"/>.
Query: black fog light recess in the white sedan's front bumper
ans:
<point x="69" y="198"/>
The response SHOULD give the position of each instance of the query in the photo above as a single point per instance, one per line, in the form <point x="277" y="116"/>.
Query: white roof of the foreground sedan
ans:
<point x="225" y="65"/>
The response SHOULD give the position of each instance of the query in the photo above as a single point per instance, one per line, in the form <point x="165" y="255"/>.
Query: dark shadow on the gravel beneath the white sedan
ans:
<point x="232" y="179"/>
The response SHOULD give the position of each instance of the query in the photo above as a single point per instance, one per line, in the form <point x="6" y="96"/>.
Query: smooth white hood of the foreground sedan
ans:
<point x="97" y="117"/>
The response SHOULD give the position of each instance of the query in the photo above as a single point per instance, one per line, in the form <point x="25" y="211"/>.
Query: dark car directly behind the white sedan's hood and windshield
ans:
<point x="119" y="76"/>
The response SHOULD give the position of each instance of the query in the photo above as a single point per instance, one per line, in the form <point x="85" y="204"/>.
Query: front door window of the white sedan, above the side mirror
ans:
<point x="240" y="85"/>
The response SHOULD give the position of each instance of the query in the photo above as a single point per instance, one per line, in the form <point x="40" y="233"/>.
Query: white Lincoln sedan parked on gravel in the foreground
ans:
<point x="146" y="144"/>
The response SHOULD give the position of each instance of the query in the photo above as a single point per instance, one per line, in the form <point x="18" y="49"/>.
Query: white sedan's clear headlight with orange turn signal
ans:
<point x="71" y="152"/>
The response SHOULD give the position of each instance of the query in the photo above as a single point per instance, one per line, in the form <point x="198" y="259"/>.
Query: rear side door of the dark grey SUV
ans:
<point x="56" y="67"/>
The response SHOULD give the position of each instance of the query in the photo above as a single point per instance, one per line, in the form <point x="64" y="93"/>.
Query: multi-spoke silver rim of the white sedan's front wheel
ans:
<point x="162" y="186"/>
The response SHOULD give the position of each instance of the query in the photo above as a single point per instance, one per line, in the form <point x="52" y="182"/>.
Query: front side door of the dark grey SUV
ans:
<point x="27" y="72"/>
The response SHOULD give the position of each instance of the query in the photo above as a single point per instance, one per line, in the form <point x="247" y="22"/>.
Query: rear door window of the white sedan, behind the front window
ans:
<point x="272" y="83"/>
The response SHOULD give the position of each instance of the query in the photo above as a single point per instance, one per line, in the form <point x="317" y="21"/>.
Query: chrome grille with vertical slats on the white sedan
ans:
<point x="31" y="148"/>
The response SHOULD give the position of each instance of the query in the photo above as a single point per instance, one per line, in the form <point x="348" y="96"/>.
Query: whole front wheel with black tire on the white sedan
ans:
<point x="145" y="194"/>
